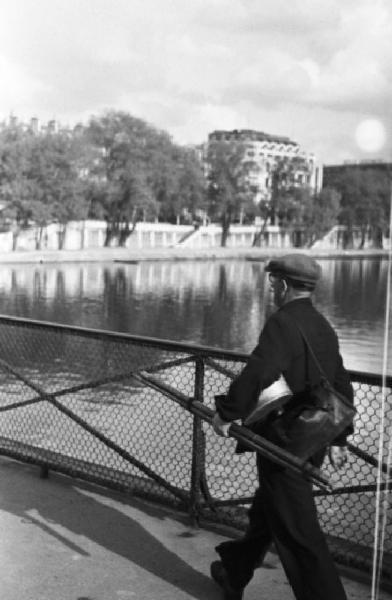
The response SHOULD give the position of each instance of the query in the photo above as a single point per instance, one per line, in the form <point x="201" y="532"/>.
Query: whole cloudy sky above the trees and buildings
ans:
<point x="317" y="71"/>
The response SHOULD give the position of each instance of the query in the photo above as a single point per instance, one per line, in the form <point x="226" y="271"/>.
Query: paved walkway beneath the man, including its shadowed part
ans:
<point x="62" y="539"/>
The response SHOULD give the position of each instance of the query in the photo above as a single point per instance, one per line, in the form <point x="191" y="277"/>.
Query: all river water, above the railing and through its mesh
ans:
<point x="214" y="303"/>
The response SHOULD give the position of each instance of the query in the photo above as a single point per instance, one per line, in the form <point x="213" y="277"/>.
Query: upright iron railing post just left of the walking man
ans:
<point x="198" y="445"/>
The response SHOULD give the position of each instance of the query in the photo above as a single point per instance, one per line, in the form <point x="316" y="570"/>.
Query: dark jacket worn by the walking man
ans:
<point x="281" y="350"/>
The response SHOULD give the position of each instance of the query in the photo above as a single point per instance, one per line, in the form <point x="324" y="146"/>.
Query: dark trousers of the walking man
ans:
<point x="284" y="512"/>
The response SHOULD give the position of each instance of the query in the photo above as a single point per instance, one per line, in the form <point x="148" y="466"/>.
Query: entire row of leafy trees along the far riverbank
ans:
<point x="121" y="169"/>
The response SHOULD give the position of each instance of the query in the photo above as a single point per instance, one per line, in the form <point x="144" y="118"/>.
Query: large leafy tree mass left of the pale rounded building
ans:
<point x="118" y="168"/>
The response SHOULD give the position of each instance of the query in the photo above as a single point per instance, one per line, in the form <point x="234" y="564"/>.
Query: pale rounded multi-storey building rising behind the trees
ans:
<point x="265" y="151"/>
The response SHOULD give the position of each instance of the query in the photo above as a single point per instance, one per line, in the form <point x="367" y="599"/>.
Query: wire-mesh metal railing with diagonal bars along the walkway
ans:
<point x="127" y="412"/>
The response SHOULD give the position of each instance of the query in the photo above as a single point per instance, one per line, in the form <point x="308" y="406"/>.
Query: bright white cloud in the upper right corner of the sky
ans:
<point x="355" y="73"/>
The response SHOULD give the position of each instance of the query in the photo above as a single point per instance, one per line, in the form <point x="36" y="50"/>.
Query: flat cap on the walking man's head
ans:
<point x="298" y="267"/>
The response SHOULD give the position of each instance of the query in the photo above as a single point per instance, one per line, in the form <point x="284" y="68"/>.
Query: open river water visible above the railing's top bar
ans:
<point x="212" y="303"/>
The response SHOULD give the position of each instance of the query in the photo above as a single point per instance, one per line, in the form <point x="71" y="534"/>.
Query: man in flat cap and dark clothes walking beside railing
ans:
<point x="283" y="510"/>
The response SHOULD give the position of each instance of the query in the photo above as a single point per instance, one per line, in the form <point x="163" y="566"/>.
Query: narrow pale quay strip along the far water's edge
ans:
<point x="127" y="255"/>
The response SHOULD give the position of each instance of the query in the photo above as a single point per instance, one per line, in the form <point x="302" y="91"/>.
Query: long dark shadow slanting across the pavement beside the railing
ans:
<point x="59" y="502"/>
